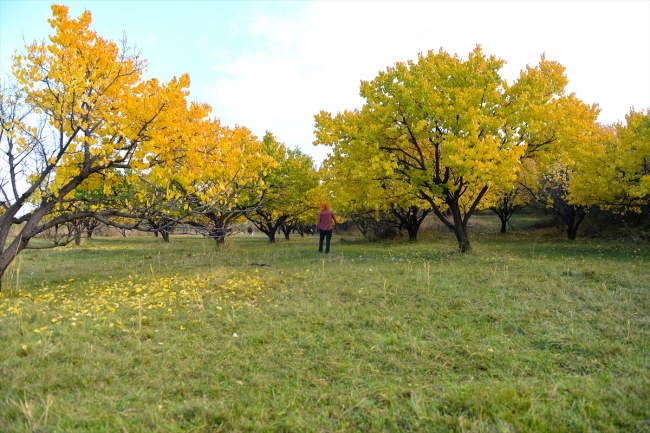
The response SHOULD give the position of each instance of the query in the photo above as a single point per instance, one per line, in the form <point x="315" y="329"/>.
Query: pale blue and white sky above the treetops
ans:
<point x="273" y="65"/>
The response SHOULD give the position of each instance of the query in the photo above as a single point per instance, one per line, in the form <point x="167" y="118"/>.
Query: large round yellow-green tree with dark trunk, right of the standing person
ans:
<point x="453" y="128"/>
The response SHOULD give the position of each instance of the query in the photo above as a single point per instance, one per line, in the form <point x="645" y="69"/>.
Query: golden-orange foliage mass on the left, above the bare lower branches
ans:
<point x="91" y="91"/>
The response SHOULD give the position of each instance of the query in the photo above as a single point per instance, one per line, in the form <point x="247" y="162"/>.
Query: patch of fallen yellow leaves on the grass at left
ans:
<point x="101" y="302"/>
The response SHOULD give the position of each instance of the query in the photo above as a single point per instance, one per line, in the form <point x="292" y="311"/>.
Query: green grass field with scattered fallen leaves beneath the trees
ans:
<point x="528" y="332"/>
